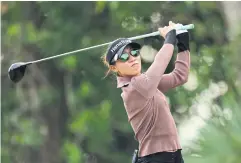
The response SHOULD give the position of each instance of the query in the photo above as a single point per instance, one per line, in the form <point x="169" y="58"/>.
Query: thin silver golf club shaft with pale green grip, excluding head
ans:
<point x="185" y="27"/>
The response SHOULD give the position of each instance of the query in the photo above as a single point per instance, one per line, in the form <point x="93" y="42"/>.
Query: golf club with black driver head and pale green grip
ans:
<point x="17" y="70"/>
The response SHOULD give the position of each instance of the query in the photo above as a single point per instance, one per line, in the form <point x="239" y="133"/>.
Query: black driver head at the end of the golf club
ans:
<point x="16" y="71"/>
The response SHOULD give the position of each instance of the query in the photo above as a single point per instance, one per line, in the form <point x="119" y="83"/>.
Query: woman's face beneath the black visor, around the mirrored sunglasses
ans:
<point x="131" y="67"/>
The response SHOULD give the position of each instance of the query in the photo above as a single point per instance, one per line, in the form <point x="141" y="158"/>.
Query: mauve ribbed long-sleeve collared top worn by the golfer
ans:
<point x="145" y="103"/>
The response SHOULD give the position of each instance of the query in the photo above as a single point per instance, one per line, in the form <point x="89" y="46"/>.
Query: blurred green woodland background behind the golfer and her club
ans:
<point x="63" y="111"/>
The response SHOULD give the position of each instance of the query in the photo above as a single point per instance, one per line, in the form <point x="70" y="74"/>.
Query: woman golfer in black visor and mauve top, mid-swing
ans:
<point x="143" y="93"/>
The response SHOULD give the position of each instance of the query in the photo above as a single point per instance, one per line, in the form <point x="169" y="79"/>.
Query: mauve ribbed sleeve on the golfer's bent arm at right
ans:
<point x="179" y="75"/>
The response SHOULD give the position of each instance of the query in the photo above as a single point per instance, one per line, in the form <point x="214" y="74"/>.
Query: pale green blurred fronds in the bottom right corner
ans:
<point x="220" y="140"/>
